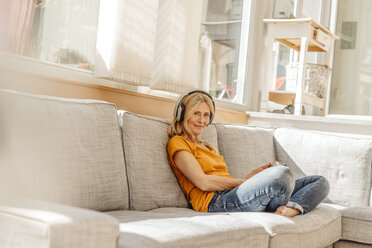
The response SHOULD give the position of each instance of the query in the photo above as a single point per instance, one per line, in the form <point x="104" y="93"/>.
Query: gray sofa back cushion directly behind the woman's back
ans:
<point x="152" y="183"/>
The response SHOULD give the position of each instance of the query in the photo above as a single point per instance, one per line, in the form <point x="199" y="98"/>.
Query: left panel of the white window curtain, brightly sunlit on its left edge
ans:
<point x="125" y="41"/>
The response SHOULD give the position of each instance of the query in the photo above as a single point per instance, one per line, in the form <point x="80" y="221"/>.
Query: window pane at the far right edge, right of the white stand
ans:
<point x="351" y="91"/>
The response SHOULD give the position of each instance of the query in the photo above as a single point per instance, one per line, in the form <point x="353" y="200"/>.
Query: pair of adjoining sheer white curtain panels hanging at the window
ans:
<point x="150" y="42"/>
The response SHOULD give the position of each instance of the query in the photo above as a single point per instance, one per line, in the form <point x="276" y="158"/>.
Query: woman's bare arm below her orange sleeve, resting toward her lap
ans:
<point x="190" y="167"/>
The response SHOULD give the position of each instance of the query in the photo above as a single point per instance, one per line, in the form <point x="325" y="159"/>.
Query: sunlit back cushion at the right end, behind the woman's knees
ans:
<point x="344" y="161"/>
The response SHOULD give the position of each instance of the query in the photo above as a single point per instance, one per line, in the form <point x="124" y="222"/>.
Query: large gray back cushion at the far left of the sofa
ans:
<point x="63" y="150"/>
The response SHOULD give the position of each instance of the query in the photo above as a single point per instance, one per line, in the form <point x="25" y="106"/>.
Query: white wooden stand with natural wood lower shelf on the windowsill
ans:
<point x="302" y="35"/>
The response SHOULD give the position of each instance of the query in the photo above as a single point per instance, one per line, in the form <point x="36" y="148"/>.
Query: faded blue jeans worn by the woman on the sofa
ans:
<point x="270" y="189"/>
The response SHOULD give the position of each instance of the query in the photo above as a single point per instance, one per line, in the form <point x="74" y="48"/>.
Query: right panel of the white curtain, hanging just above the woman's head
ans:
<point x="175" y="64"/>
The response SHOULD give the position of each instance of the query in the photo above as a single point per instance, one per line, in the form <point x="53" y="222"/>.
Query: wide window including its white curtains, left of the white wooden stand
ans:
<point x="65" y="32"/>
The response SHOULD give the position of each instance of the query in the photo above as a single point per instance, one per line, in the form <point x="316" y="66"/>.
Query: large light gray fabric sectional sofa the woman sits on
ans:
<point x="79" y="173"/>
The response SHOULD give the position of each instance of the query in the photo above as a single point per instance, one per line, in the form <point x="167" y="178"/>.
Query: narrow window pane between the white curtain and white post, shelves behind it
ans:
<point x="223" y="48"/>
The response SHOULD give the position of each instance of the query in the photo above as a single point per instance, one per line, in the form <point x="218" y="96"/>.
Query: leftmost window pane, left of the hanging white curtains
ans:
<point x="62" y="32"/>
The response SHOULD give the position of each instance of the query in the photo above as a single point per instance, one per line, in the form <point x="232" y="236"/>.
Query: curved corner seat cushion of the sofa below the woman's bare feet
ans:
<point x="318" y="228"/>
